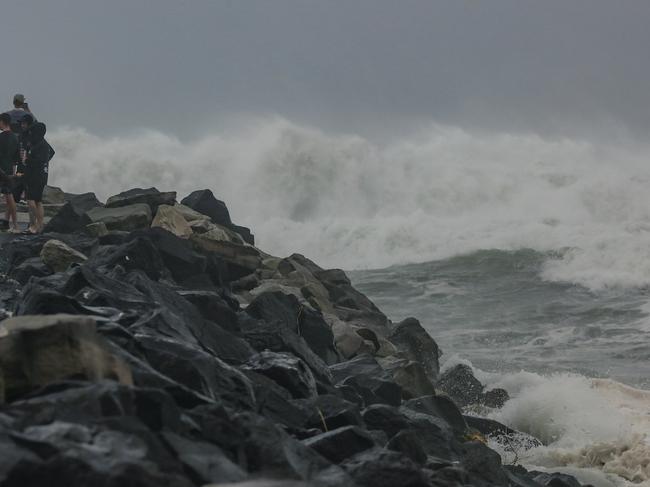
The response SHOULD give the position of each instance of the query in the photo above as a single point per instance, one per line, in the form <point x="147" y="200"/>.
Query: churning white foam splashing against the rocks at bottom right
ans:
<point x="595" y="429"/>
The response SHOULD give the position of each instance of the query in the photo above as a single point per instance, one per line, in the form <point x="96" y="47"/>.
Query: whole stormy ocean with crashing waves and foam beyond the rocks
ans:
<point x="526" y="257"/>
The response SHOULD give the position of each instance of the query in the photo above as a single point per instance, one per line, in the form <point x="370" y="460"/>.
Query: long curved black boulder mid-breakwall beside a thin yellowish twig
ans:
<point x="277" y="306"/>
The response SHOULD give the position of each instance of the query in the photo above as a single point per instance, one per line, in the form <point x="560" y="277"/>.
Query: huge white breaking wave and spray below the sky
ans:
<point x="350" y="202"/>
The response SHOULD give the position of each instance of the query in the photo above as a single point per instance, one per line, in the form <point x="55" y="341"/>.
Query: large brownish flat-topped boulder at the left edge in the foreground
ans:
<point x="38" y="350"/>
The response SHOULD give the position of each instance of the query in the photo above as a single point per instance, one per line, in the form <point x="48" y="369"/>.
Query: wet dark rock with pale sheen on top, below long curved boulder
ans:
<point x="288" y="371"/>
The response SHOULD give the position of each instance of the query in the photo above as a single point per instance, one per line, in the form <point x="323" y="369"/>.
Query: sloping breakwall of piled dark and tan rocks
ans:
<point x="150" y="343"/>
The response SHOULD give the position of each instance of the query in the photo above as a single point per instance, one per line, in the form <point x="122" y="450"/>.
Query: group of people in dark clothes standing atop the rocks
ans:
<point x="24" y="163"/>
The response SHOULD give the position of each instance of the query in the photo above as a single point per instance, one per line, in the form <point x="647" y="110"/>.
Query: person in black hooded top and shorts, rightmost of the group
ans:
<point x="36" y="165"/>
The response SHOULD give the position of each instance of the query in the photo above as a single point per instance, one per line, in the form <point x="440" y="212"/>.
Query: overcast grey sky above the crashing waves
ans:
<point x="543" y="66"/>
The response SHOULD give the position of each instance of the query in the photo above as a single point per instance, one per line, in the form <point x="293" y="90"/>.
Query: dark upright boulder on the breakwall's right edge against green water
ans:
<point x="417" y="345"/>
